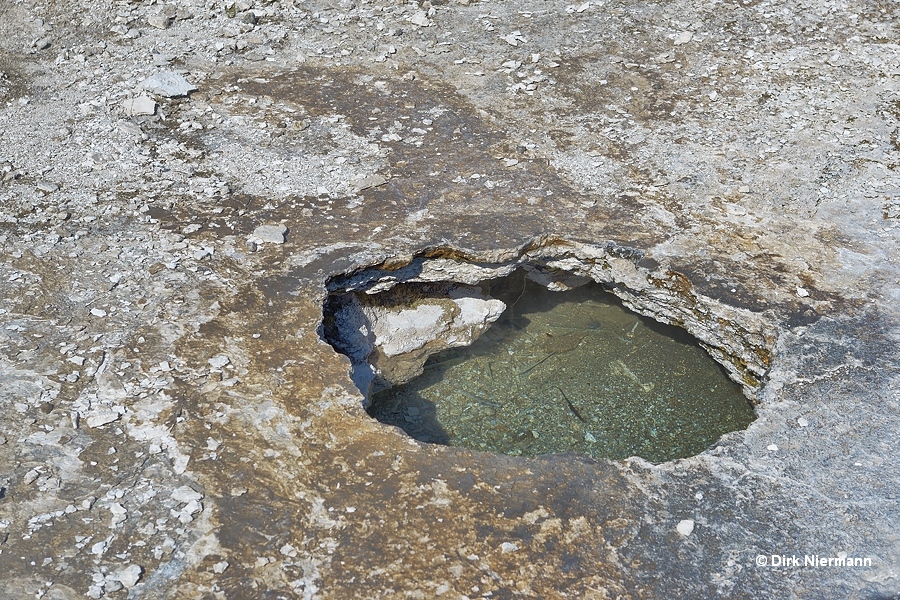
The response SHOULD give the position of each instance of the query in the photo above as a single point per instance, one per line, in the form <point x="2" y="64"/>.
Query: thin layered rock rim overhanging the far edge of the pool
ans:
<point x="742" y="340"/>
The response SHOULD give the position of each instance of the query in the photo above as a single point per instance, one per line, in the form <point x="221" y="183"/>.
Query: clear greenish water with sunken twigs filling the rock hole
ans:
<point x="570" y="371"/>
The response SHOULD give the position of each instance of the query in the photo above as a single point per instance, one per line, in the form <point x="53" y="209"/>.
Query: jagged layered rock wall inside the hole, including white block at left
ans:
<point x="388" y="340"/>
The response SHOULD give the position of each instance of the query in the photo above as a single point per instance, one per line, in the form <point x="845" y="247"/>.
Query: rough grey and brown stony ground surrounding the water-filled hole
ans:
<point x="731" y="167"/>
